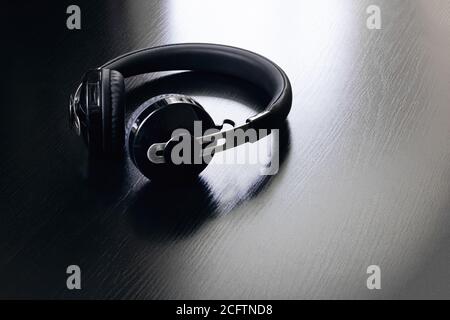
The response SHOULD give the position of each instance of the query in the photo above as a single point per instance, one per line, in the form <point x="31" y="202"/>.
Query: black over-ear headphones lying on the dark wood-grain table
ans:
<point x="97" y="109"/>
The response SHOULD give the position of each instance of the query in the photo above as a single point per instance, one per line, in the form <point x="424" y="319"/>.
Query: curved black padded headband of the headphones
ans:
<point x="219" y="59"/>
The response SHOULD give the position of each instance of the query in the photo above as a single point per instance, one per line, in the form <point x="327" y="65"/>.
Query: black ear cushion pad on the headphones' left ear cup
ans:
<point x="117" y="113"/>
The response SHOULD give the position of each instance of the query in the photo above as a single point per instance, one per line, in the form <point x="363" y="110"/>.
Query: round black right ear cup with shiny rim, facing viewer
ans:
<point x="155" y="122"/>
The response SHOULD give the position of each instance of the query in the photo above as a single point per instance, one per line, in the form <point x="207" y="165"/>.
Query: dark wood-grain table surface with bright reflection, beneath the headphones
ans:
<point x="365" y="159"/>
